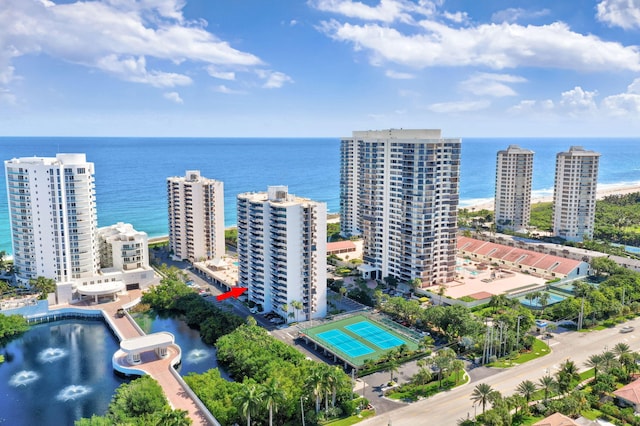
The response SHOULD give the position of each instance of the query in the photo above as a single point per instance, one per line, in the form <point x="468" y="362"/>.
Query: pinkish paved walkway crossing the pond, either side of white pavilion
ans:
<point x="158" y="368"/>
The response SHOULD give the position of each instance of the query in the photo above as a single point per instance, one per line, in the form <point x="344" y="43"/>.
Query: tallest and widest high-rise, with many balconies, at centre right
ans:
<point x="399" y="190"/>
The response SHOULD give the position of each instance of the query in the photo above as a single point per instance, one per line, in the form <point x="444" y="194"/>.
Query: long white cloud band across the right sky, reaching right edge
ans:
<point x="496" y="46"/>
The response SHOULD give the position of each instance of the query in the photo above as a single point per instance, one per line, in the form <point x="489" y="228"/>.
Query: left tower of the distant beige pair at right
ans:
<point x="514" y="172"/>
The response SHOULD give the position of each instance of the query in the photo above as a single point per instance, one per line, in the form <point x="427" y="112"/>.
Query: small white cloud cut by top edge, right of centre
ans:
<point x="386" y="11"/>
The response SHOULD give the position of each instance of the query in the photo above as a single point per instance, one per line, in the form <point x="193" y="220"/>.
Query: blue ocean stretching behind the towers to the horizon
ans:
<point x="131" y="172"/>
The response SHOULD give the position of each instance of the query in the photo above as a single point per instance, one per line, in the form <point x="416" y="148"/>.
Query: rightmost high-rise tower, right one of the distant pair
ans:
<point x="574" y="195"/>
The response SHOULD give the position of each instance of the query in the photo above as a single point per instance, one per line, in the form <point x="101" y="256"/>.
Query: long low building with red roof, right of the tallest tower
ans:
<point x="521" y="260"/>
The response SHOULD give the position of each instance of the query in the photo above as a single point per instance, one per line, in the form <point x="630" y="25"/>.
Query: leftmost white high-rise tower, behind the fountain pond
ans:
<point x="53" y="217"/>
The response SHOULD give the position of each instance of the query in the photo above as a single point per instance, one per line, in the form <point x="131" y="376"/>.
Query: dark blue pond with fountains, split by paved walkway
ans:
<point x="61" y="371"/>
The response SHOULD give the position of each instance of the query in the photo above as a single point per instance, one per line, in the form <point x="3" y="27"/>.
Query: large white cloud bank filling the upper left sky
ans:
<point x="116" y="37"/>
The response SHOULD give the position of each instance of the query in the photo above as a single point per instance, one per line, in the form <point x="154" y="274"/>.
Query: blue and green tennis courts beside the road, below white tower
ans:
<point x="358" y="338"/>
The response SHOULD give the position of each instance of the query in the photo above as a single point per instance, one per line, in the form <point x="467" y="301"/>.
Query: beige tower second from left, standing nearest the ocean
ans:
<point x="196" y="217"/>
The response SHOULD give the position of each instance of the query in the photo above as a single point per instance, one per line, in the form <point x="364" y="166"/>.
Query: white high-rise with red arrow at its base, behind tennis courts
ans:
<point x="282" y="248"/>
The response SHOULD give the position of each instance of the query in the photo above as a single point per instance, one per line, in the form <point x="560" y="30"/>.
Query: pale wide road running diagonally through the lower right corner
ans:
<point x="447" y="408"/>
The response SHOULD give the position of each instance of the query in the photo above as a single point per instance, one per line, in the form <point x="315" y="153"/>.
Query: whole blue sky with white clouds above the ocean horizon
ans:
<point x="319" y="67"/>
